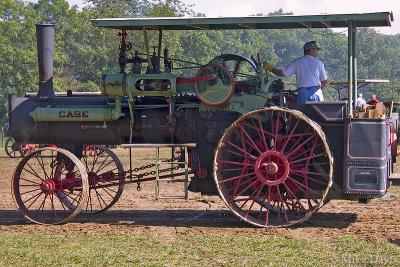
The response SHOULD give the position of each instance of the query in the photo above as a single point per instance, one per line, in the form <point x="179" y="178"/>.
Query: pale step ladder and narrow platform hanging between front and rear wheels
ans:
<point x="172" y="162"/>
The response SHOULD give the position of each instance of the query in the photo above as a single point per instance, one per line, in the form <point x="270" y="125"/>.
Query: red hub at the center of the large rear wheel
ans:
<point x="272" y="168"/>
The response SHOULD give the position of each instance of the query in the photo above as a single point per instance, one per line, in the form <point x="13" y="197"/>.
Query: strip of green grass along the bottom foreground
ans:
<point x="102" y="249"/>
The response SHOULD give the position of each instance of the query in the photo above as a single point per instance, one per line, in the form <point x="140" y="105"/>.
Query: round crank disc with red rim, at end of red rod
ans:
<point x="215" y="85"/>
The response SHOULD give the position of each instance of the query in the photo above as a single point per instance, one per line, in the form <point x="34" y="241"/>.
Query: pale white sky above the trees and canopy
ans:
<point x="236" y="8"/>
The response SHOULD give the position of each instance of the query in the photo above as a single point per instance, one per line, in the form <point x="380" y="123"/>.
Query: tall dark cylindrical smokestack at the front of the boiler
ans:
<point x="45" y="46"/>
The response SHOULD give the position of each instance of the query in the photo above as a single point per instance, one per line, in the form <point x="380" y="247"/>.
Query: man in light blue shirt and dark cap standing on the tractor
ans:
<point x="310" y="73"/>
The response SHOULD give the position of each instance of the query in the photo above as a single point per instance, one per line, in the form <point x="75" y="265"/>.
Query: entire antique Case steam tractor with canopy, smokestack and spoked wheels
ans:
<point x="272" y="161"/>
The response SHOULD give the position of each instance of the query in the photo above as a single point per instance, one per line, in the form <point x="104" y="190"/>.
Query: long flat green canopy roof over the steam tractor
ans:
<point x="256" y="22"/>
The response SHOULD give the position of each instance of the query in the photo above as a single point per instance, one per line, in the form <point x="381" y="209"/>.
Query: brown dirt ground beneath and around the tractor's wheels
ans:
<point x="138" y="211"/>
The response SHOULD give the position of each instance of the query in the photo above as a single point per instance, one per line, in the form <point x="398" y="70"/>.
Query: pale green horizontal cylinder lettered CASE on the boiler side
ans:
<point x="71" y="114"/>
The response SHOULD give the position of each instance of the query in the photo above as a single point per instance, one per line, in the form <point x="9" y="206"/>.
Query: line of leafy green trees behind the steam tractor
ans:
<point x="84" y="52"/>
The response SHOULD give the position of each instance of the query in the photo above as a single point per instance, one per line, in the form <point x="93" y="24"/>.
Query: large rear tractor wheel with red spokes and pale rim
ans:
<point x="273" y="167"/>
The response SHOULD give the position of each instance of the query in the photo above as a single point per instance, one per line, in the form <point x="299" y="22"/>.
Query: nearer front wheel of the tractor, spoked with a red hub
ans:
<point x="45" y="180"/>
